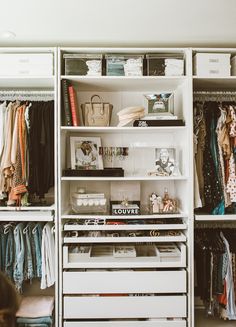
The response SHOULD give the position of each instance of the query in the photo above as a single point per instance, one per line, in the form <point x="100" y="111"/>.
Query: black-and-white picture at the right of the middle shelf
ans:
<point x="165" y="162"/>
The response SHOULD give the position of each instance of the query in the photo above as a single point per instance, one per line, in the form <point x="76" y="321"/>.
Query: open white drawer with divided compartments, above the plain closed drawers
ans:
<point x="72" y="260"/>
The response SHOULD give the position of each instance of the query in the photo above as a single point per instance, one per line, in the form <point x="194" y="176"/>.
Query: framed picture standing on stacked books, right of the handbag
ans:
<point x="161" y="104"/>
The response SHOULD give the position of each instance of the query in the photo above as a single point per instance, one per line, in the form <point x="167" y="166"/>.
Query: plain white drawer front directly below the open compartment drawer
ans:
<point x="124" y="282"/>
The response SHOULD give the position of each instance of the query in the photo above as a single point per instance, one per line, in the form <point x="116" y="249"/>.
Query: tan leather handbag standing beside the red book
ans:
<point x="96" y="113"/>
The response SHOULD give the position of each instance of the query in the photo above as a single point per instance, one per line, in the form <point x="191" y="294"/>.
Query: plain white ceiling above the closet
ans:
<point x="119" y="22"/>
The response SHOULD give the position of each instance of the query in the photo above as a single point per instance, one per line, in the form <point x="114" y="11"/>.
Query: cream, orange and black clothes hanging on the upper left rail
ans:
<point x="26" y="150"/>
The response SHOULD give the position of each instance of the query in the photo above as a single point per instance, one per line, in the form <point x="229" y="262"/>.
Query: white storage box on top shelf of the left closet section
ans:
<point x="26" y="64"/>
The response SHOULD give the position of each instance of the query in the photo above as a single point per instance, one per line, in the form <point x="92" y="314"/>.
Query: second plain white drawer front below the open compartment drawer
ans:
<point x="99" y="307"/>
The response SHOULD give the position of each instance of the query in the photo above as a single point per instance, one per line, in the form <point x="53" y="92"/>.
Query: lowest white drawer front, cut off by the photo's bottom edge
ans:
<point x="158" y="323"/>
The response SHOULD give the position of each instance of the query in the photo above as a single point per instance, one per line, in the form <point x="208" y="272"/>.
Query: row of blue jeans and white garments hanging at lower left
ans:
<point x="27" y="251"/>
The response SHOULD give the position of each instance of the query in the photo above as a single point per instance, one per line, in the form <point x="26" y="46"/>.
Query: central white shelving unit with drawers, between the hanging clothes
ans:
<point x="75" y="310"/>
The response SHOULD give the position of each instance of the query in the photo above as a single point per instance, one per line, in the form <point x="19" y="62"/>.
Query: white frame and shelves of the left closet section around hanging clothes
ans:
<point x="20" y="85"/>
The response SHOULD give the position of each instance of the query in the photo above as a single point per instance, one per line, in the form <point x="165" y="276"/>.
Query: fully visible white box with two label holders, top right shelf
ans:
<point x="212" y="64"/>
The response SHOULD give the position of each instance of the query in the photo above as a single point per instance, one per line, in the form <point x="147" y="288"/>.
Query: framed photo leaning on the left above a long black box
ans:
<point x="85" y="153"/>
